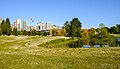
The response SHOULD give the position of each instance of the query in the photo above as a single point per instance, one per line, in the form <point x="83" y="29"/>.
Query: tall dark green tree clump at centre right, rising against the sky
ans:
<point x="73" y="29"/>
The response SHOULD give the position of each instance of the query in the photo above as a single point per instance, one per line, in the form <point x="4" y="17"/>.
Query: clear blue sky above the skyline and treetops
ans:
<point x="90" y="12"/>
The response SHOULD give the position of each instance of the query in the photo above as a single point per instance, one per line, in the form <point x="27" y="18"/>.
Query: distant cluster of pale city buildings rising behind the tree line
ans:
<point x="23" y="25"/>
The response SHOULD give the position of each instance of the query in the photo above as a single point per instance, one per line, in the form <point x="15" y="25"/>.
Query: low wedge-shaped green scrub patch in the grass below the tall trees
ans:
<point x="63" y="43"/>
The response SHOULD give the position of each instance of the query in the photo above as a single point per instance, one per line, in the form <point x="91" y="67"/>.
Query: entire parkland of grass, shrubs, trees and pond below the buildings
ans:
<point x="60" y="48"/>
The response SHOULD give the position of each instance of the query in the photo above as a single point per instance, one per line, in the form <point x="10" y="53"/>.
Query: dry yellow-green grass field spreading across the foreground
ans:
<point x="15" y="53"/>
